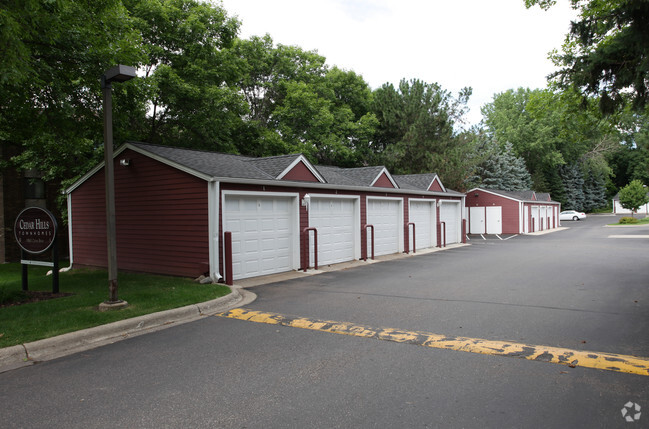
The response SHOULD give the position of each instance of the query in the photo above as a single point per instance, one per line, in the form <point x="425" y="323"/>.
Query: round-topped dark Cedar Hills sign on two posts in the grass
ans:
<point x="35" y="231"/>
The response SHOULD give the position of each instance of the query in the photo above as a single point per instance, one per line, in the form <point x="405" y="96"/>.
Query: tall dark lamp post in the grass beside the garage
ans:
<point x="118" y="73"/>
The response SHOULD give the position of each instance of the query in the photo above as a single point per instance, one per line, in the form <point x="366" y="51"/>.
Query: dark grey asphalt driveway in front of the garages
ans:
<point x="580" y="289"/>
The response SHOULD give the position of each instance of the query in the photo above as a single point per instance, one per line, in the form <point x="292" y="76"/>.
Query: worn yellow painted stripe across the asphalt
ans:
<point x="573" y="358"/>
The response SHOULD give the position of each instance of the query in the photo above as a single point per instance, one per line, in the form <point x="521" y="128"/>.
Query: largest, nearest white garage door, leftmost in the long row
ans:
<point x="263" y="234"/>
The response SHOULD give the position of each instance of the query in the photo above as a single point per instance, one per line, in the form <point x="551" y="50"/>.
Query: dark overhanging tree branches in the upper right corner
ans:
<point x="605" y="53"/>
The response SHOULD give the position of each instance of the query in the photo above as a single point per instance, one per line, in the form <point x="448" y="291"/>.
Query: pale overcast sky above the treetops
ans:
<point x="489" y="45"/>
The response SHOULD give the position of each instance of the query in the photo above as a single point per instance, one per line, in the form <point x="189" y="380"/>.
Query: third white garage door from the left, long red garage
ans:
<point x="386" y="217"/>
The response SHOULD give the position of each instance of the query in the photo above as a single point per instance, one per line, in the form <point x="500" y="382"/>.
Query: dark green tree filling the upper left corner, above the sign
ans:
<point x="53" y="56"/>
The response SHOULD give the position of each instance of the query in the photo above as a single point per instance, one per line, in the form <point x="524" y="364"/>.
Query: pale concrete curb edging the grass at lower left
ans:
<point x="51" y="348"/>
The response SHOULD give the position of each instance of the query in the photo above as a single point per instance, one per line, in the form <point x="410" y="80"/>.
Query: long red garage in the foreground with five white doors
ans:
<point x="173" y="207"/>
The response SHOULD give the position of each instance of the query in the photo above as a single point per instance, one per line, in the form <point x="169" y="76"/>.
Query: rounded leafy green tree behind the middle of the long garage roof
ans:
<point x="298" y="104"/>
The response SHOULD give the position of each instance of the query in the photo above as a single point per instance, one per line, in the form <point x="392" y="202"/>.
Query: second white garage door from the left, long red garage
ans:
<point x="334" y="219"/>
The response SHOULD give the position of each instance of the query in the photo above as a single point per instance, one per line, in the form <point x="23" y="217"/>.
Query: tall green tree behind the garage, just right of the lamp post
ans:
<point x="187" y="83"/>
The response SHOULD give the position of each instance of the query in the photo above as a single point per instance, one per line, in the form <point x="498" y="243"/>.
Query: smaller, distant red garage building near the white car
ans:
<point x="491" y="211"/>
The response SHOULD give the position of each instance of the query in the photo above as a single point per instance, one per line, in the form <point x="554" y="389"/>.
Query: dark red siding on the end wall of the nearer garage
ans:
<point x="161" y="218"/>
